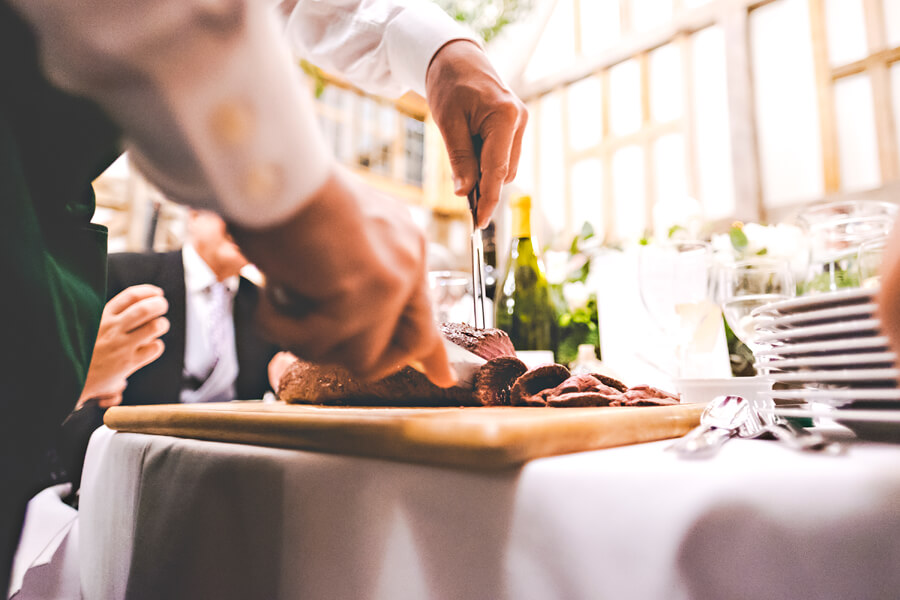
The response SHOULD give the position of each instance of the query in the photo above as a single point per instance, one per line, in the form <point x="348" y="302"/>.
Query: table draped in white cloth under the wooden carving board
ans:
<point x="163" y="517"/>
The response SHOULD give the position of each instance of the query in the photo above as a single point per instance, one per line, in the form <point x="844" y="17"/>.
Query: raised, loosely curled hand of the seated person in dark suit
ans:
<point x="128" y="339"/>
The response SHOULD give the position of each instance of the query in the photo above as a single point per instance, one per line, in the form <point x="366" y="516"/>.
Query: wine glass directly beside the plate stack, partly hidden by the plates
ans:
<point x="749" y="284"/>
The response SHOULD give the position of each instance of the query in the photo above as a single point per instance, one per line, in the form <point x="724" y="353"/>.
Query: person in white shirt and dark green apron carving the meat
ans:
<point x="212" y="107"/>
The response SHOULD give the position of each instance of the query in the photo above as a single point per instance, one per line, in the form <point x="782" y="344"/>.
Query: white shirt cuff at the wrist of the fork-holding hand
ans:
<point x="415" y="36"/>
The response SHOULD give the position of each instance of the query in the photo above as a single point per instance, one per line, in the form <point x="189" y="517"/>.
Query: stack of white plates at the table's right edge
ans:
<point x="828" y="354"/>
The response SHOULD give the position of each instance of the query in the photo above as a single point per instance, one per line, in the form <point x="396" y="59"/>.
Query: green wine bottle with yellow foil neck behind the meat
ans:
<point x="523" y="306"/>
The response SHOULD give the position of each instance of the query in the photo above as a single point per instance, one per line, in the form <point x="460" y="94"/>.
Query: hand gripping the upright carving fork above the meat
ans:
<point x="467" y="97"/>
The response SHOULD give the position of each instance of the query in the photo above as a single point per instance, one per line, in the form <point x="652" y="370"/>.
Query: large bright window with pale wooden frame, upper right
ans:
<point x="747" y="109"/>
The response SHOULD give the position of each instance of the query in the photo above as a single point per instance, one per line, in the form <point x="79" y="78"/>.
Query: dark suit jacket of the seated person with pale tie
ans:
<point x="160" y="381"/>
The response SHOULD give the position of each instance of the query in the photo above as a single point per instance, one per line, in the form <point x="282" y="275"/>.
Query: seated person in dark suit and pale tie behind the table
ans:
<point x="178" y="327"/>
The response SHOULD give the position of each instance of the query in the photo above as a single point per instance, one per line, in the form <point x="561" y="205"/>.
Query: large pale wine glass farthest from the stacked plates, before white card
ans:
<point x="674" y="287"/>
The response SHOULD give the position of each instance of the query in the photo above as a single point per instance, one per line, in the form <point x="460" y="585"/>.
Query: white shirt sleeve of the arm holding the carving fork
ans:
<point x="383" y="47"/>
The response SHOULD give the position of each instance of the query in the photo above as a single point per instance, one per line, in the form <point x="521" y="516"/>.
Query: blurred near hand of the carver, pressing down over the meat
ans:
<point x="346" y="283"/>
